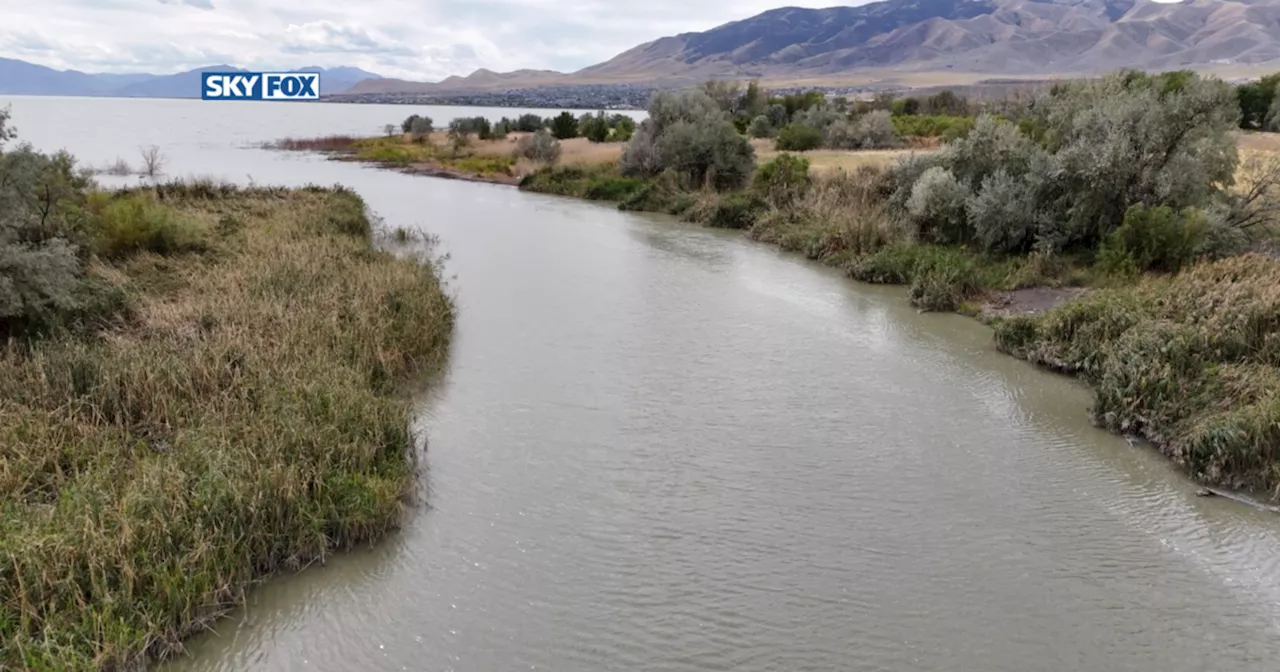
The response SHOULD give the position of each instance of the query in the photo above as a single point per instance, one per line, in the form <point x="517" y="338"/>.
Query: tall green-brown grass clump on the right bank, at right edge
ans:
<point x="1190" y="362"/>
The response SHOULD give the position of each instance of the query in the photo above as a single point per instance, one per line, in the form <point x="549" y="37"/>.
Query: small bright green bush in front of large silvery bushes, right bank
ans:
<point x="1154" y="239"/>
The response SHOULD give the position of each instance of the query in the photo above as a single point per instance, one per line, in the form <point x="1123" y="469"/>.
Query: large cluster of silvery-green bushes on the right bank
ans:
<point x="1096" y="150"/>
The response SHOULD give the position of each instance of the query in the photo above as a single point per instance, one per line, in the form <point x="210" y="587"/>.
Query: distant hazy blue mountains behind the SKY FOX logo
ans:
<point x="20" y="77"/>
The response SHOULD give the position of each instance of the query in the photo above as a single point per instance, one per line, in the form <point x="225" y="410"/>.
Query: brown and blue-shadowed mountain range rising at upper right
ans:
<point x="894" y="39"/>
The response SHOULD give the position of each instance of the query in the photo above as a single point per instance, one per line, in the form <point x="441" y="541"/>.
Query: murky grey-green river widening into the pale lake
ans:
<point x="662" y="447"/>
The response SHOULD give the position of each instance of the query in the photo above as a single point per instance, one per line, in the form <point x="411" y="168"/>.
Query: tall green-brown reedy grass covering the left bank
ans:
<point x="248" y="415"/>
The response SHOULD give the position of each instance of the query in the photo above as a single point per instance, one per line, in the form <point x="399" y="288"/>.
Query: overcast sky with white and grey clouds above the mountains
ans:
<point x="423" y="40"/>
